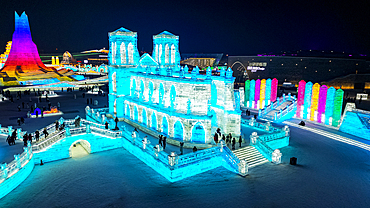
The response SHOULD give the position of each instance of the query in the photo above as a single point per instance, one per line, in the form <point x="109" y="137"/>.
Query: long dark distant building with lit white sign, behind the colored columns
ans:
<point x="294" y="69"/>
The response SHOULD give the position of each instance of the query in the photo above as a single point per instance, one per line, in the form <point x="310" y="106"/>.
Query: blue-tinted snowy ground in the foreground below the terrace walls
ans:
<point x="329" y="174"/>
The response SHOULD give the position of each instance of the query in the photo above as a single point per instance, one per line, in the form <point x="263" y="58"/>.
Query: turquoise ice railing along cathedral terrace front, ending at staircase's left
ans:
<point x="175" y="161"/>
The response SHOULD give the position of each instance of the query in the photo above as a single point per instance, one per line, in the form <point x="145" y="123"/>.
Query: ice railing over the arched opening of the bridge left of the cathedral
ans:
<point x="72" y="129"/>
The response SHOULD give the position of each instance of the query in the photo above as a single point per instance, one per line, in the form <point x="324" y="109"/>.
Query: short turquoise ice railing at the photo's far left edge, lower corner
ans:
<point x="8" y="170"/>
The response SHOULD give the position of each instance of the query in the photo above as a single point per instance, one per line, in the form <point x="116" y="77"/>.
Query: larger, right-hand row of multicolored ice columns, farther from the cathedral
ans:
<point x="318" y="103"/>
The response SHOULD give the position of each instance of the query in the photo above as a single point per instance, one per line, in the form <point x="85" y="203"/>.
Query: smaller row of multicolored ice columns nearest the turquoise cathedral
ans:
<point x="260" y="93"/>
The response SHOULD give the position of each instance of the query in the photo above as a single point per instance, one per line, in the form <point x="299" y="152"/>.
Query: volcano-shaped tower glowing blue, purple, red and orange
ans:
<point x="23" y="62"/>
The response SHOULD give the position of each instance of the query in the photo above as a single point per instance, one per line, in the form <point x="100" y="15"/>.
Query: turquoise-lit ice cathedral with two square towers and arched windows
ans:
<point x="155" y="92"/>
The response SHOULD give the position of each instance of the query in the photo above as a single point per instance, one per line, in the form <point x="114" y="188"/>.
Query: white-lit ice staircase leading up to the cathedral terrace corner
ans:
<point x="252" y="156"/>
